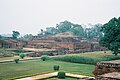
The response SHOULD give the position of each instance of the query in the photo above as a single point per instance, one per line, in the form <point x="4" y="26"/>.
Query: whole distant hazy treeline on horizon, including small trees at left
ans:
<point x="90" y="31"/>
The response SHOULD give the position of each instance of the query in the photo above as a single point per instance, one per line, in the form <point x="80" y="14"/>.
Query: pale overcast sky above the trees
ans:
<point x="29" y="16"/>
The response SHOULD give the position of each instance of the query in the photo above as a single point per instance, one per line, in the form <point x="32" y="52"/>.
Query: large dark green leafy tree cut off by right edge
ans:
<point x="111" y="39"/>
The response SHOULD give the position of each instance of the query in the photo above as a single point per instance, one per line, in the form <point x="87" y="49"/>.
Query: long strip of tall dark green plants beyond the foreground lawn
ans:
<point x="84" y="60"/>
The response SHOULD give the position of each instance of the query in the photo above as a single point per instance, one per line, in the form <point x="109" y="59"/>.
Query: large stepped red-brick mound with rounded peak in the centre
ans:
<point x="65" y="41"/>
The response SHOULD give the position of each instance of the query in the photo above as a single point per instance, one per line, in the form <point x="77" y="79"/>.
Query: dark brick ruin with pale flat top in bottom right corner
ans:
<point x="107" y="70"/>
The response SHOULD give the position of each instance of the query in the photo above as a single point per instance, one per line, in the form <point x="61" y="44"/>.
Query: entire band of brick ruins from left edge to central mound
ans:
<point x="62" y="43"/>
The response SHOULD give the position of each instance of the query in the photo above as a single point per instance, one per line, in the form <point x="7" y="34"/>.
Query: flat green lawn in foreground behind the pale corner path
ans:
<point x="24" y="68"/>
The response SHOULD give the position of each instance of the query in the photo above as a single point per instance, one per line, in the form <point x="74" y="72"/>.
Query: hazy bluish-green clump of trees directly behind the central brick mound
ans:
<point x="77" y="29"/>
